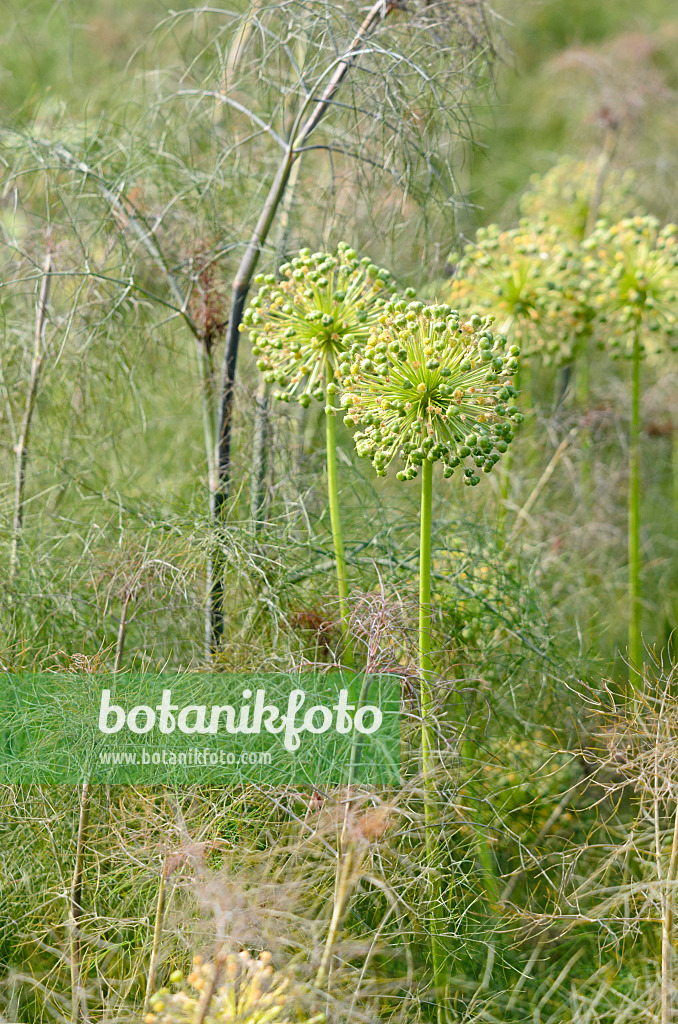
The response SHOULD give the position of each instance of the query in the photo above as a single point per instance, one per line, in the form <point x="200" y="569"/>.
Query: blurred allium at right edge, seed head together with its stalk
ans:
<point x="635" y="274"/>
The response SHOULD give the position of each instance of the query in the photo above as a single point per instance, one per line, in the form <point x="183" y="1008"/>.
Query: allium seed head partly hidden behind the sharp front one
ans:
<point x="301" y="326"/>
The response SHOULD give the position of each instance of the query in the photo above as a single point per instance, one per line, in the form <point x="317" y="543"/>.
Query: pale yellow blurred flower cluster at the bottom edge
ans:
<point x="249" y="994"/>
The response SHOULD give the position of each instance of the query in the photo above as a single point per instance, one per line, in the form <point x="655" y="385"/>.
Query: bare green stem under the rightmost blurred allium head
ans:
<point x="635" y="656"/>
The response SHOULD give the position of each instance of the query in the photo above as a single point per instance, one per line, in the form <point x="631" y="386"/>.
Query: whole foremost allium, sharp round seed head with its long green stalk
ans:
<point x="430" y="388"/>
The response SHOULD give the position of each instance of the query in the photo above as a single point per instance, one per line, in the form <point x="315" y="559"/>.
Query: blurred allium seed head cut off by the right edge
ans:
<point x="634" y="269"/>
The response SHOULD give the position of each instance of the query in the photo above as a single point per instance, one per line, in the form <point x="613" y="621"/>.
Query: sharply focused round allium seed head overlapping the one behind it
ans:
<point x="430" y="387"/>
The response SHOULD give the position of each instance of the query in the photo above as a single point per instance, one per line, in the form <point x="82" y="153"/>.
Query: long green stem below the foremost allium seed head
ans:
<point x="429" y="736"/>
